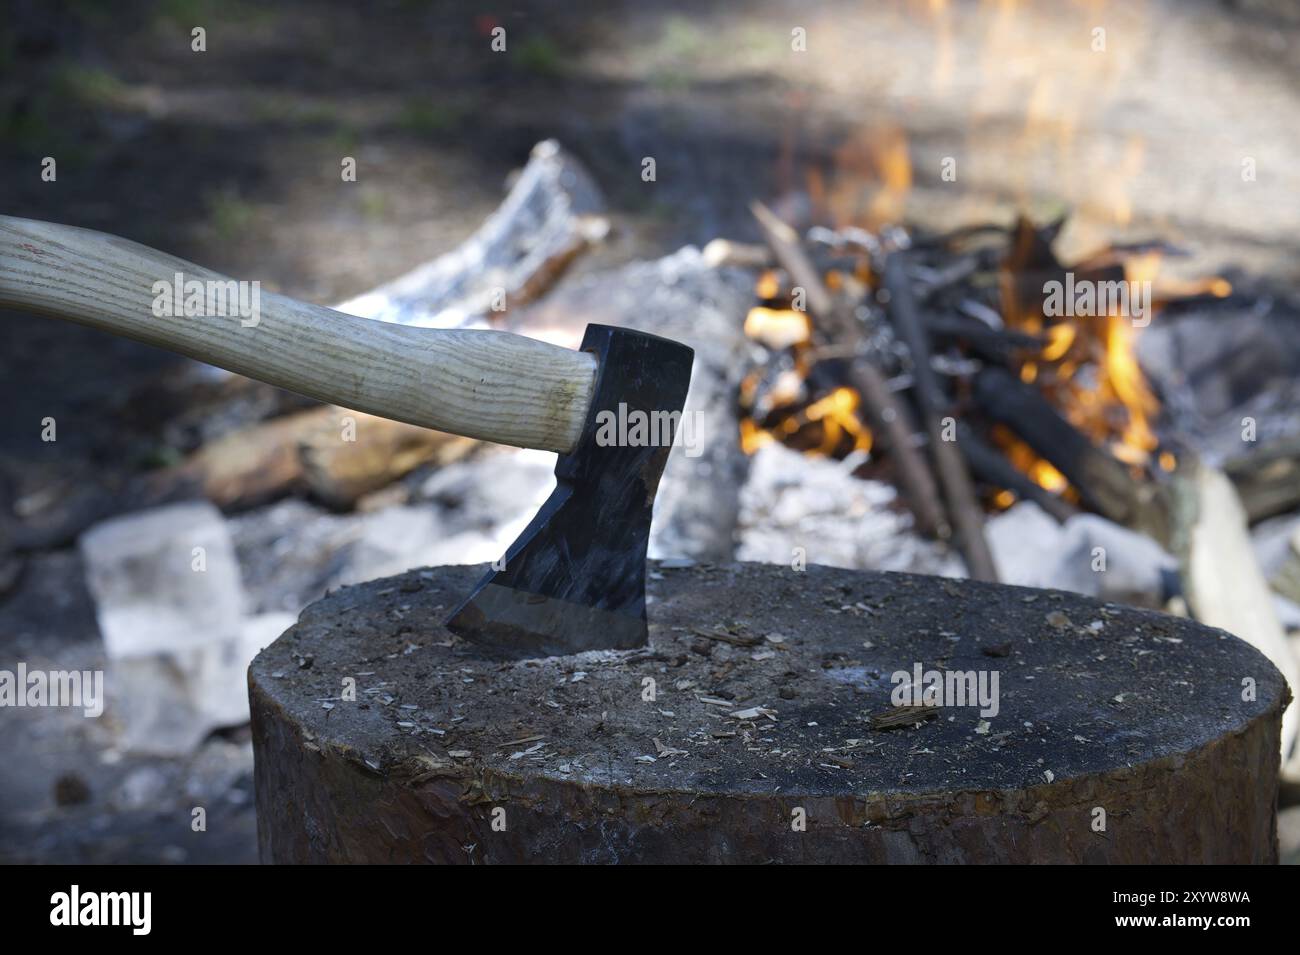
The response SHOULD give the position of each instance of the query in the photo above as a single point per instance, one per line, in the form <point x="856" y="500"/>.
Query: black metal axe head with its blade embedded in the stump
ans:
<point x="575" y="579"/>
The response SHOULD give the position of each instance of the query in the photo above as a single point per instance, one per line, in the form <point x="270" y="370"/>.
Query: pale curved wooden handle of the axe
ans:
<point x="489" y="385"/>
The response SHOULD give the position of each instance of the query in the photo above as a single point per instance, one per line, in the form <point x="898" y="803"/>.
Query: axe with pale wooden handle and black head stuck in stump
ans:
<point x="575" y="579"/>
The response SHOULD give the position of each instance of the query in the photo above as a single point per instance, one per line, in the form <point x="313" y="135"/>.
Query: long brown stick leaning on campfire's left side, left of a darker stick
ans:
<point x="887" y="415"/>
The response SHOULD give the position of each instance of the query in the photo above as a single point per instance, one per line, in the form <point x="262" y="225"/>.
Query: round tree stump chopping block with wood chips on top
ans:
<point x="760" y="726"/>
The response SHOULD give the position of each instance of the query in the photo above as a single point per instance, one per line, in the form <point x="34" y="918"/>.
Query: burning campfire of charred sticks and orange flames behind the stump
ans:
<point x="973" y="370"/>
